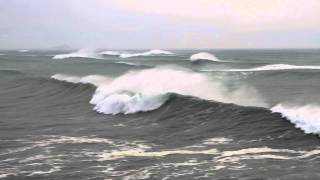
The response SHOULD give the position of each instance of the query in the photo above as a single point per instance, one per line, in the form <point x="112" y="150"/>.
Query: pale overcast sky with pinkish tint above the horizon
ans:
<point x="160" y="23"/>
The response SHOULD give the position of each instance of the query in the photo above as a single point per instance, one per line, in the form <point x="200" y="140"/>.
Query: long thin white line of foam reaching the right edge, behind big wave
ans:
<point x="271" y="67"/>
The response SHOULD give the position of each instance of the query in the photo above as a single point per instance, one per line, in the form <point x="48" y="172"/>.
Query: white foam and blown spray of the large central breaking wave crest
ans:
<point x="146" y="90"/>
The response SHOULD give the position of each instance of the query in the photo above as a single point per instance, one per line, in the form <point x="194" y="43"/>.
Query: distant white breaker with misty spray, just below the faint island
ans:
<point x="83" y="53"/>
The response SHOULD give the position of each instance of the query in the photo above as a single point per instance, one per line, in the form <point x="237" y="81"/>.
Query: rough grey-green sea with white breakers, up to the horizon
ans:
<point x="160" y="114"/>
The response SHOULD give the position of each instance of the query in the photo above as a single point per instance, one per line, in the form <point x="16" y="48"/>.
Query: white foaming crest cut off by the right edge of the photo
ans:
<point x="305" y="117"/>
